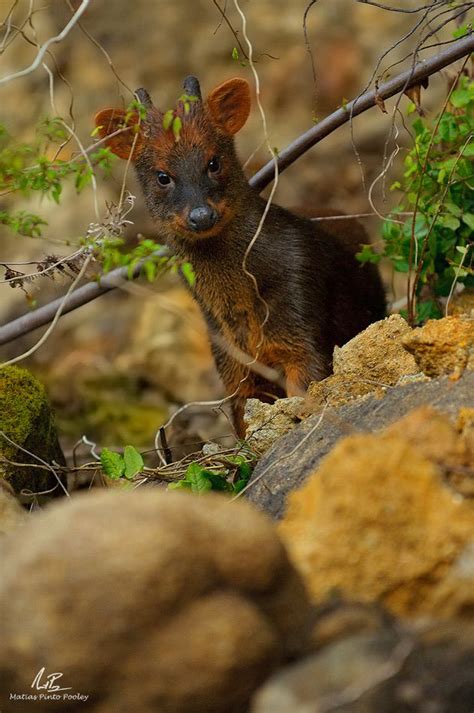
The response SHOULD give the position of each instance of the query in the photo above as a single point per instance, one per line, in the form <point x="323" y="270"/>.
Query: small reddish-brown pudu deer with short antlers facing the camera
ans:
<point x="286" y="302"/>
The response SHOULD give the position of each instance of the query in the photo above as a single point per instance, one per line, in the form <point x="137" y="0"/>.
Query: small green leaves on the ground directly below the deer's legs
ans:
<point x="231" y="479"/>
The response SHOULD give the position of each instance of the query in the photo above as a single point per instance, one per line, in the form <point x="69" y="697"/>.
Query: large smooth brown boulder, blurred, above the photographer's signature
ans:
<point x="148" y="601"/>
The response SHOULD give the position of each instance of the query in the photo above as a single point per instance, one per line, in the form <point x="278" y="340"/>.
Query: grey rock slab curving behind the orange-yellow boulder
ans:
<point x="290" y="461"/>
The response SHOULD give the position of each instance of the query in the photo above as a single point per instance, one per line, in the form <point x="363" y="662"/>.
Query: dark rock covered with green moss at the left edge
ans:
<point x="27" y="429"/>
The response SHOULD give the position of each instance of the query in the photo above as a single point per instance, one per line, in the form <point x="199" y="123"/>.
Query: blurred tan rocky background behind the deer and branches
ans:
<point x="118" y="367"/>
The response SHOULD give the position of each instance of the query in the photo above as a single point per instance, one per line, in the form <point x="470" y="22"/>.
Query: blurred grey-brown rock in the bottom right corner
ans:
<point x="387" y="671"/>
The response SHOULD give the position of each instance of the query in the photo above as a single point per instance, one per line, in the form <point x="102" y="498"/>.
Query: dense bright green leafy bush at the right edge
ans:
<point x="438" y="189"/>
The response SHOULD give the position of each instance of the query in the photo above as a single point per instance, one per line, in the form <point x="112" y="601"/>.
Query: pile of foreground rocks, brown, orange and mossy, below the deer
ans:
<point x="352" y="589"/>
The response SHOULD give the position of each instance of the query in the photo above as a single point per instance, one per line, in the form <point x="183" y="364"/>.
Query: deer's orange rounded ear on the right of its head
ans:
<point x="229" y="104"/>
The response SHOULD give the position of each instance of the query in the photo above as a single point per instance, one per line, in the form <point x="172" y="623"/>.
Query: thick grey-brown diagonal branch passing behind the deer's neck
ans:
<point x="460" y="48"/>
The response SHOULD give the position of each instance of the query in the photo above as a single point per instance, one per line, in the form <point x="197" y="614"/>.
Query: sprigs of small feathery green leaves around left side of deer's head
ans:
<point x="33" y="167"/>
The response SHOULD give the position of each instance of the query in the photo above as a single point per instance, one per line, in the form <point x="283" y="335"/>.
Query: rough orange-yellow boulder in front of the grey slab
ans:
<point x="377" y="521"/>
